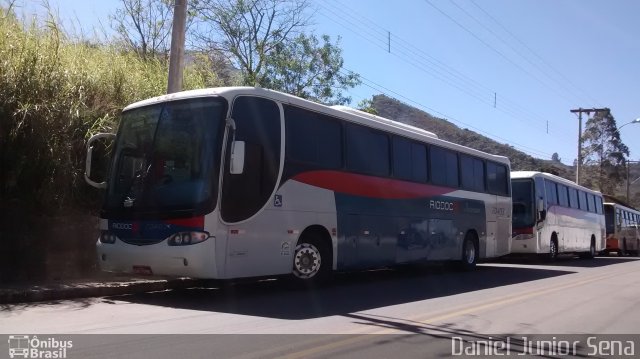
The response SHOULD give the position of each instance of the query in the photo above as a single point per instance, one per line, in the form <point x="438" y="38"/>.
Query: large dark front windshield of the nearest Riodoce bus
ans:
<point x="166" y="156"/>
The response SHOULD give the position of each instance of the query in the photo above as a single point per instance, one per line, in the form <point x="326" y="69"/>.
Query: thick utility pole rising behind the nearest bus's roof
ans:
<point x="176" y="58"/>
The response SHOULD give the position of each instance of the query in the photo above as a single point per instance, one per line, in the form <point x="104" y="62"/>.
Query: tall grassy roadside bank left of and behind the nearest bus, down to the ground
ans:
<point x="55" y="91"/>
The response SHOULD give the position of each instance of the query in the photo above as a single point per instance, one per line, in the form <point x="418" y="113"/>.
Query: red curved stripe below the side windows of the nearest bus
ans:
<point x="368" y="186"/>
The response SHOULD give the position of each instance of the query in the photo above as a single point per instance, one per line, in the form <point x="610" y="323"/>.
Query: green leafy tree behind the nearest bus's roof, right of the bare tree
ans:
<point x="303" y="67"/>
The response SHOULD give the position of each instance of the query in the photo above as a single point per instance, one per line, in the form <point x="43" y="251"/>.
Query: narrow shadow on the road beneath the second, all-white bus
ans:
<point x="568" y="261"/>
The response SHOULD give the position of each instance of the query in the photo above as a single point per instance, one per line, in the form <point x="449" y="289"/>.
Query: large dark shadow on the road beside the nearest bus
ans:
<point x="347" y="293"/>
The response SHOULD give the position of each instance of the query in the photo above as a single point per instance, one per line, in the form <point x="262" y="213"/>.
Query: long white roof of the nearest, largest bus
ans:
<point x="343" y="112"/>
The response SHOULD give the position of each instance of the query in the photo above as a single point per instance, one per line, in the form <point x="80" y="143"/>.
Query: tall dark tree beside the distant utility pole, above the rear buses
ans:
<point x="604" y="152"/>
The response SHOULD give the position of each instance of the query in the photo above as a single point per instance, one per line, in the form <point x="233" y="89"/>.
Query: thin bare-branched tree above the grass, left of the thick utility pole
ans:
<point x="144" y="26"/>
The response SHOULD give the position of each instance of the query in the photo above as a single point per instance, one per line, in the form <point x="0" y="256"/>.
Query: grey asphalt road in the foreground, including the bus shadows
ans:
<point x="418" y="309"/>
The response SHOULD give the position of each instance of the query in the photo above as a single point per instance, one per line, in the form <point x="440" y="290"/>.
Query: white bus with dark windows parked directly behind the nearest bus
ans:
<point x="552" y="215"/>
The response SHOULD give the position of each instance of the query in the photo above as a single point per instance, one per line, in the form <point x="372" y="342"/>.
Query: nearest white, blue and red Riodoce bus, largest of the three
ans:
<point x="244" y="182"/>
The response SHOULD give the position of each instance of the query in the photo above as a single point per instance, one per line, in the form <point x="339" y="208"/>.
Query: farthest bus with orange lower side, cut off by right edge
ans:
<point x="623" y="234"/>
